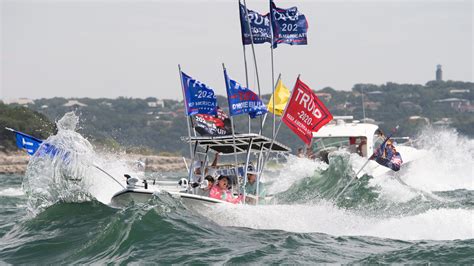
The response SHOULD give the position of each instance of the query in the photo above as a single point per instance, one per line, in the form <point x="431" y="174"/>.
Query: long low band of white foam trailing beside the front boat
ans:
<point x="440" y="224"/>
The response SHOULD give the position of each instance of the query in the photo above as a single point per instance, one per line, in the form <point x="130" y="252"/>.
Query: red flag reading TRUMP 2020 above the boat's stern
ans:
<point x="305" y="113"/>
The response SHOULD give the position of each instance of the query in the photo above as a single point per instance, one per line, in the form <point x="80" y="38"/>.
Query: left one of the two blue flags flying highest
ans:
<point x="260" y="24"/>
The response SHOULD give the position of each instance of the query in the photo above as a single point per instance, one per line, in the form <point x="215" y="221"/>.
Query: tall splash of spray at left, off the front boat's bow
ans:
<point x="68" y="174"/>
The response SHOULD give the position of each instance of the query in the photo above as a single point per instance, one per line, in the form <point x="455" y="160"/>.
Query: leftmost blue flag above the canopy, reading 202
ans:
<point x="200" y="99"/>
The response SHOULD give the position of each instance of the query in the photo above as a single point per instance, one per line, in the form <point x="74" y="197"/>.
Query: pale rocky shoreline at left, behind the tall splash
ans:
<point x="16" y="162"/>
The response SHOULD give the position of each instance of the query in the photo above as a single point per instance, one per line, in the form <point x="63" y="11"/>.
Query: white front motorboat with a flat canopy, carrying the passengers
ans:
<point x="187" y="189"/>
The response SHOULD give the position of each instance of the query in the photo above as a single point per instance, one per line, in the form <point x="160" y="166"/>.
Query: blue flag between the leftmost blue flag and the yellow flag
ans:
<point x="242" y="100"/>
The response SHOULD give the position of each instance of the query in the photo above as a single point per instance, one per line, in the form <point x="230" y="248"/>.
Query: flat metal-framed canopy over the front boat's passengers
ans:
<point x="225" y="144"/>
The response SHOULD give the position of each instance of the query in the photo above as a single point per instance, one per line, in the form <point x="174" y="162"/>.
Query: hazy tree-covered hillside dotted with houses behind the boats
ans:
<point x="154" y="125"/>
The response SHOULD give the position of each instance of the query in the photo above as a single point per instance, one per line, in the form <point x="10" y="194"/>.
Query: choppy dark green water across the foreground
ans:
<point x="165" y="231"/>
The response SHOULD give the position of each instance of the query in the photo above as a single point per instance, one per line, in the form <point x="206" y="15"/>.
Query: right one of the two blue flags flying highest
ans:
<point x="289" y="26"/>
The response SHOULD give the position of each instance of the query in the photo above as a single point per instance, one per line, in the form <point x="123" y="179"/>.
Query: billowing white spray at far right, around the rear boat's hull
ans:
<point x="444" y="162"/>
